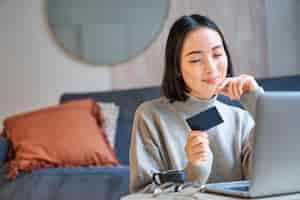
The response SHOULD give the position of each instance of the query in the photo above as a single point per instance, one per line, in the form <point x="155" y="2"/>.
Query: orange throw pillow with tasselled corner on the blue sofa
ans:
<point x="66" y="135"/>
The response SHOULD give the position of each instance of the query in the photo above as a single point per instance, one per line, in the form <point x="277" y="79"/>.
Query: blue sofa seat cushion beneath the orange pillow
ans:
<point x="66" y="183"/>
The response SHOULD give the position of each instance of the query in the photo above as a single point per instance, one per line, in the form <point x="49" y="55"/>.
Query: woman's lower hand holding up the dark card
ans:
<point x="197" y="148"/>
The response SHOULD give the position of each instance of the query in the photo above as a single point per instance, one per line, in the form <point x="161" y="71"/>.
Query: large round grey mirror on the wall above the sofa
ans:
<point x="106" y="32"/>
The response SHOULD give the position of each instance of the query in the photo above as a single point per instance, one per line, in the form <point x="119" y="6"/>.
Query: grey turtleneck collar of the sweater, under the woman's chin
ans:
<point x="193" y="105"/>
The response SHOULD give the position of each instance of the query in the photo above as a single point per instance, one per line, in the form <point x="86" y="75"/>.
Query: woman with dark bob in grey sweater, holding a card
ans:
<point x="197" y="68"/>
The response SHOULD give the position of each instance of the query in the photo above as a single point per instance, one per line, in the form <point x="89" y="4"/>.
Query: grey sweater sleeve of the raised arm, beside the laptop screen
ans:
<point x="249" y="101"/>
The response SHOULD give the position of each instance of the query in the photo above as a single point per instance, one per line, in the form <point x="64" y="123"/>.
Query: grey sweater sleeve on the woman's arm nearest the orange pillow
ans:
<point x="145" y="157"/>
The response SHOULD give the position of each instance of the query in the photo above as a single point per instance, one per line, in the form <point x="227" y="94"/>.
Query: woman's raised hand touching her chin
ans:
<point x="235" y="87"/>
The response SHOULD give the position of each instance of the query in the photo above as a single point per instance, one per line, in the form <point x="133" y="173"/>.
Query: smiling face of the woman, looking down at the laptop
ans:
<point x="203" y="62"/>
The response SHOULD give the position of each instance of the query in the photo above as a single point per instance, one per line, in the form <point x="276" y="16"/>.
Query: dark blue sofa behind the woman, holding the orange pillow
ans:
<point x="107" y="183"/>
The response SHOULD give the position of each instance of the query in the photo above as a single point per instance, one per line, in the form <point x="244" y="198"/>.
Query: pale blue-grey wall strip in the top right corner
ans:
<point x="283" y="27"/>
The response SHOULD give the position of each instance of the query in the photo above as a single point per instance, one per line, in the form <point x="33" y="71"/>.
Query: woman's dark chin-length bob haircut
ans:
<point x="173" y="86"/>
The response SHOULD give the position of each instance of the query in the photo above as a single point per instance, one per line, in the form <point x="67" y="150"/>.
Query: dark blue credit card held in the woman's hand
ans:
<point x="205" y="120"/>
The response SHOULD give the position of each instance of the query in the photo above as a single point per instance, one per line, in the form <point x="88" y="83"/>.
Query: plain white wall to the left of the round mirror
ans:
<point x="33" y="70"/>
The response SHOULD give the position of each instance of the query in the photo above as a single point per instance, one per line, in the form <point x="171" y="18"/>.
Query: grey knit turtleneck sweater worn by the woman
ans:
<point x="160" y="133"/>
